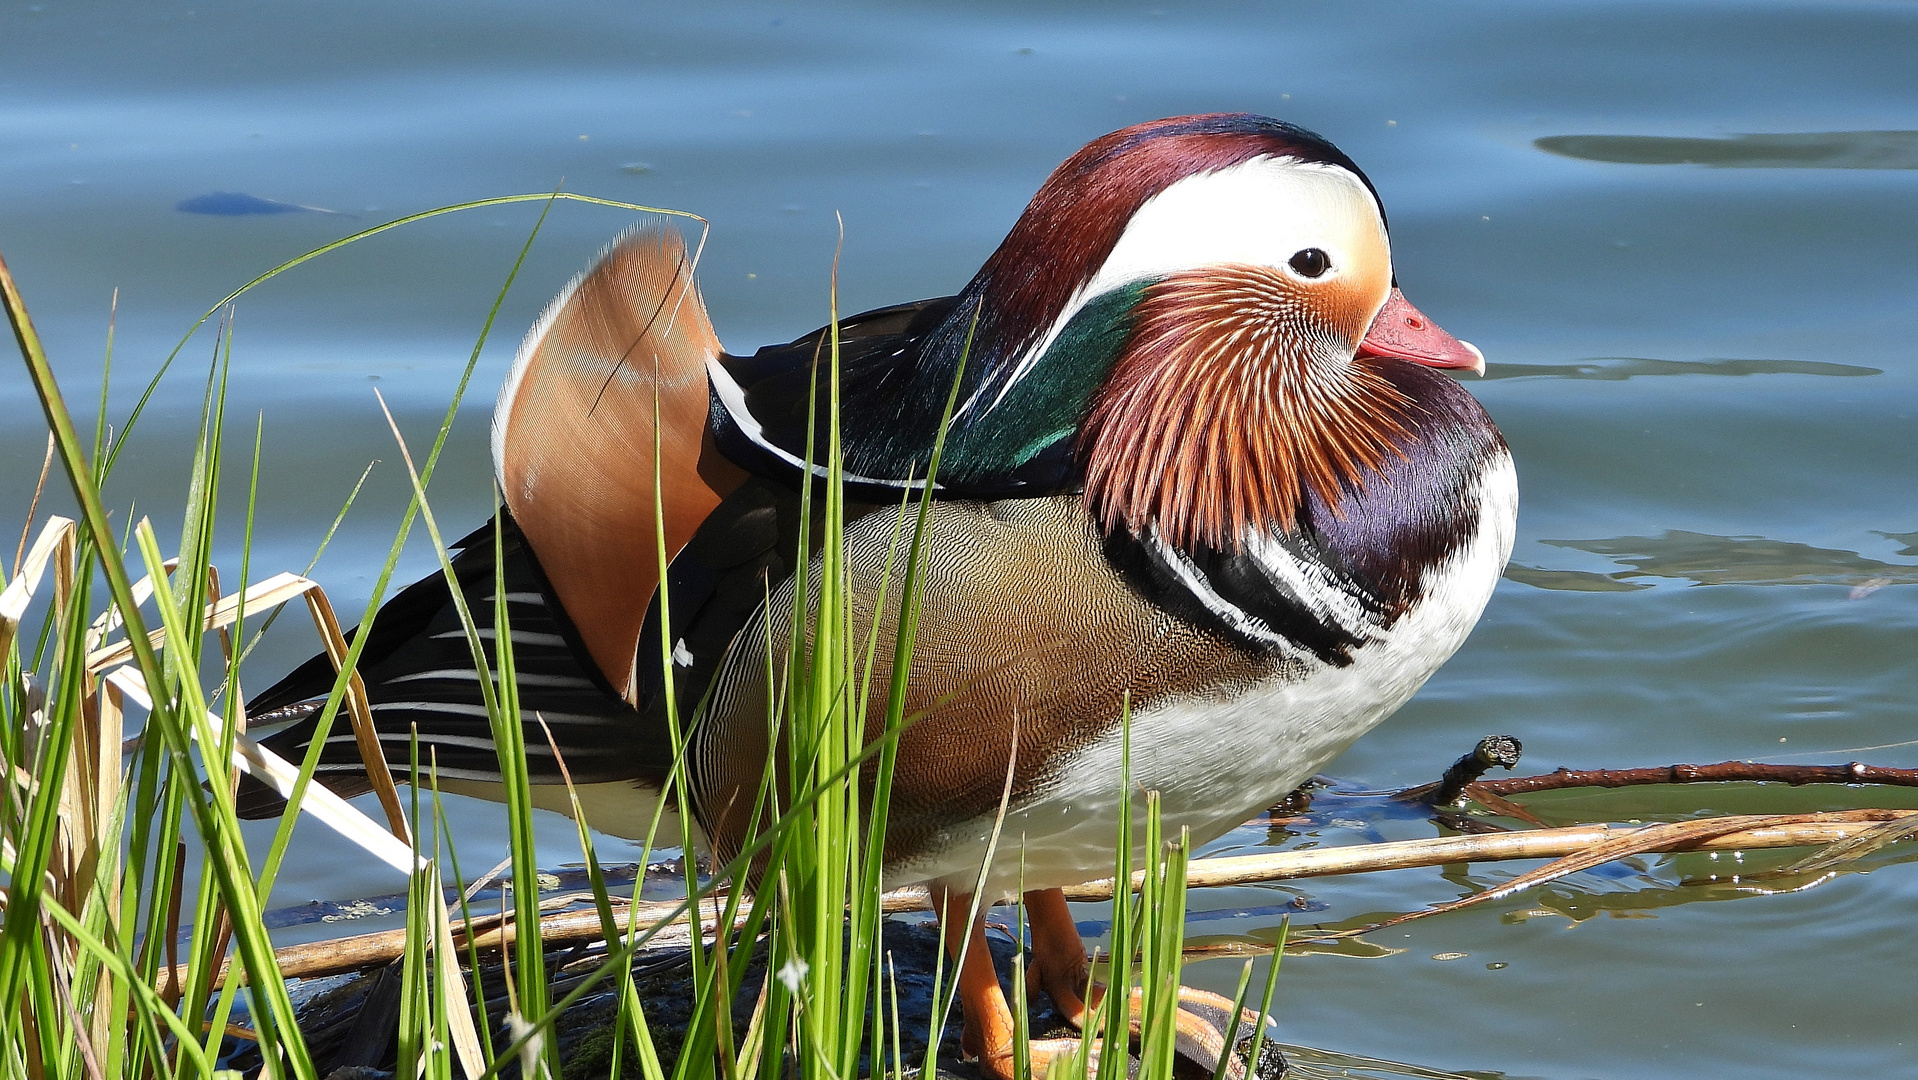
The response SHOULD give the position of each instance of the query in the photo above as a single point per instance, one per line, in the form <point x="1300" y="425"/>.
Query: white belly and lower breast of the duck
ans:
<point x="1219" y="763"/>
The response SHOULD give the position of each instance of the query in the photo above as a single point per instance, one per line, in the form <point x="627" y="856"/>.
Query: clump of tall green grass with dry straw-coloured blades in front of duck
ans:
<point x="110" y="977"/>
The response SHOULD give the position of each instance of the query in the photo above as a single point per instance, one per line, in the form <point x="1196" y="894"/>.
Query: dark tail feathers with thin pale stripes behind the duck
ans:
<point x="423" y="684"/>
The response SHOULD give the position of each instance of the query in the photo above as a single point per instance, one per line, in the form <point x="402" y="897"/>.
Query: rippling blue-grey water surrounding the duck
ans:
<point x="1708" y="375"/>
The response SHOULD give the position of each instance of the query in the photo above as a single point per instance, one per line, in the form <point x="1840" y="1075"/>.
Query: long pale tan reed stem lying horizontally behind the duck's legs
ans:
<point x="1810" y="830"/>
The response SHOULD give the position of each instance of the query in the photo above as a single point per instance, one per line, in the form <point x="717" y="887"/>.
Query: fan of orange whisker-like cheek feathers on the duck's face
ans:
<point x="1223" y="411"/>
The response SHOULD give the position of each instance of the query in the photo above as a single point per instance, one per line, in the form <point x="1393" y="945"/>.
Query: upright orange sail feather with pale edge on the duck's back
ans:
<point x="576" y="446"/>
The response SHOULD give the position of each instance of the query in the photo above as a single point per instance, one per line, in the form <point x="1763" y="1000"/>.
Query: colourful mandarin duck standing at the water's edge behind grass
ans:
<point x="1200" y="467"/>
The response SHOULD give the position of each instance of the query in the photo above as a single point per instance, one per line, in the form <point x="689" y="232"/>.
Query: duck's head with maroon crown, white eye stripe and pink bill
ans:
<point x="1238" y="275"/>
